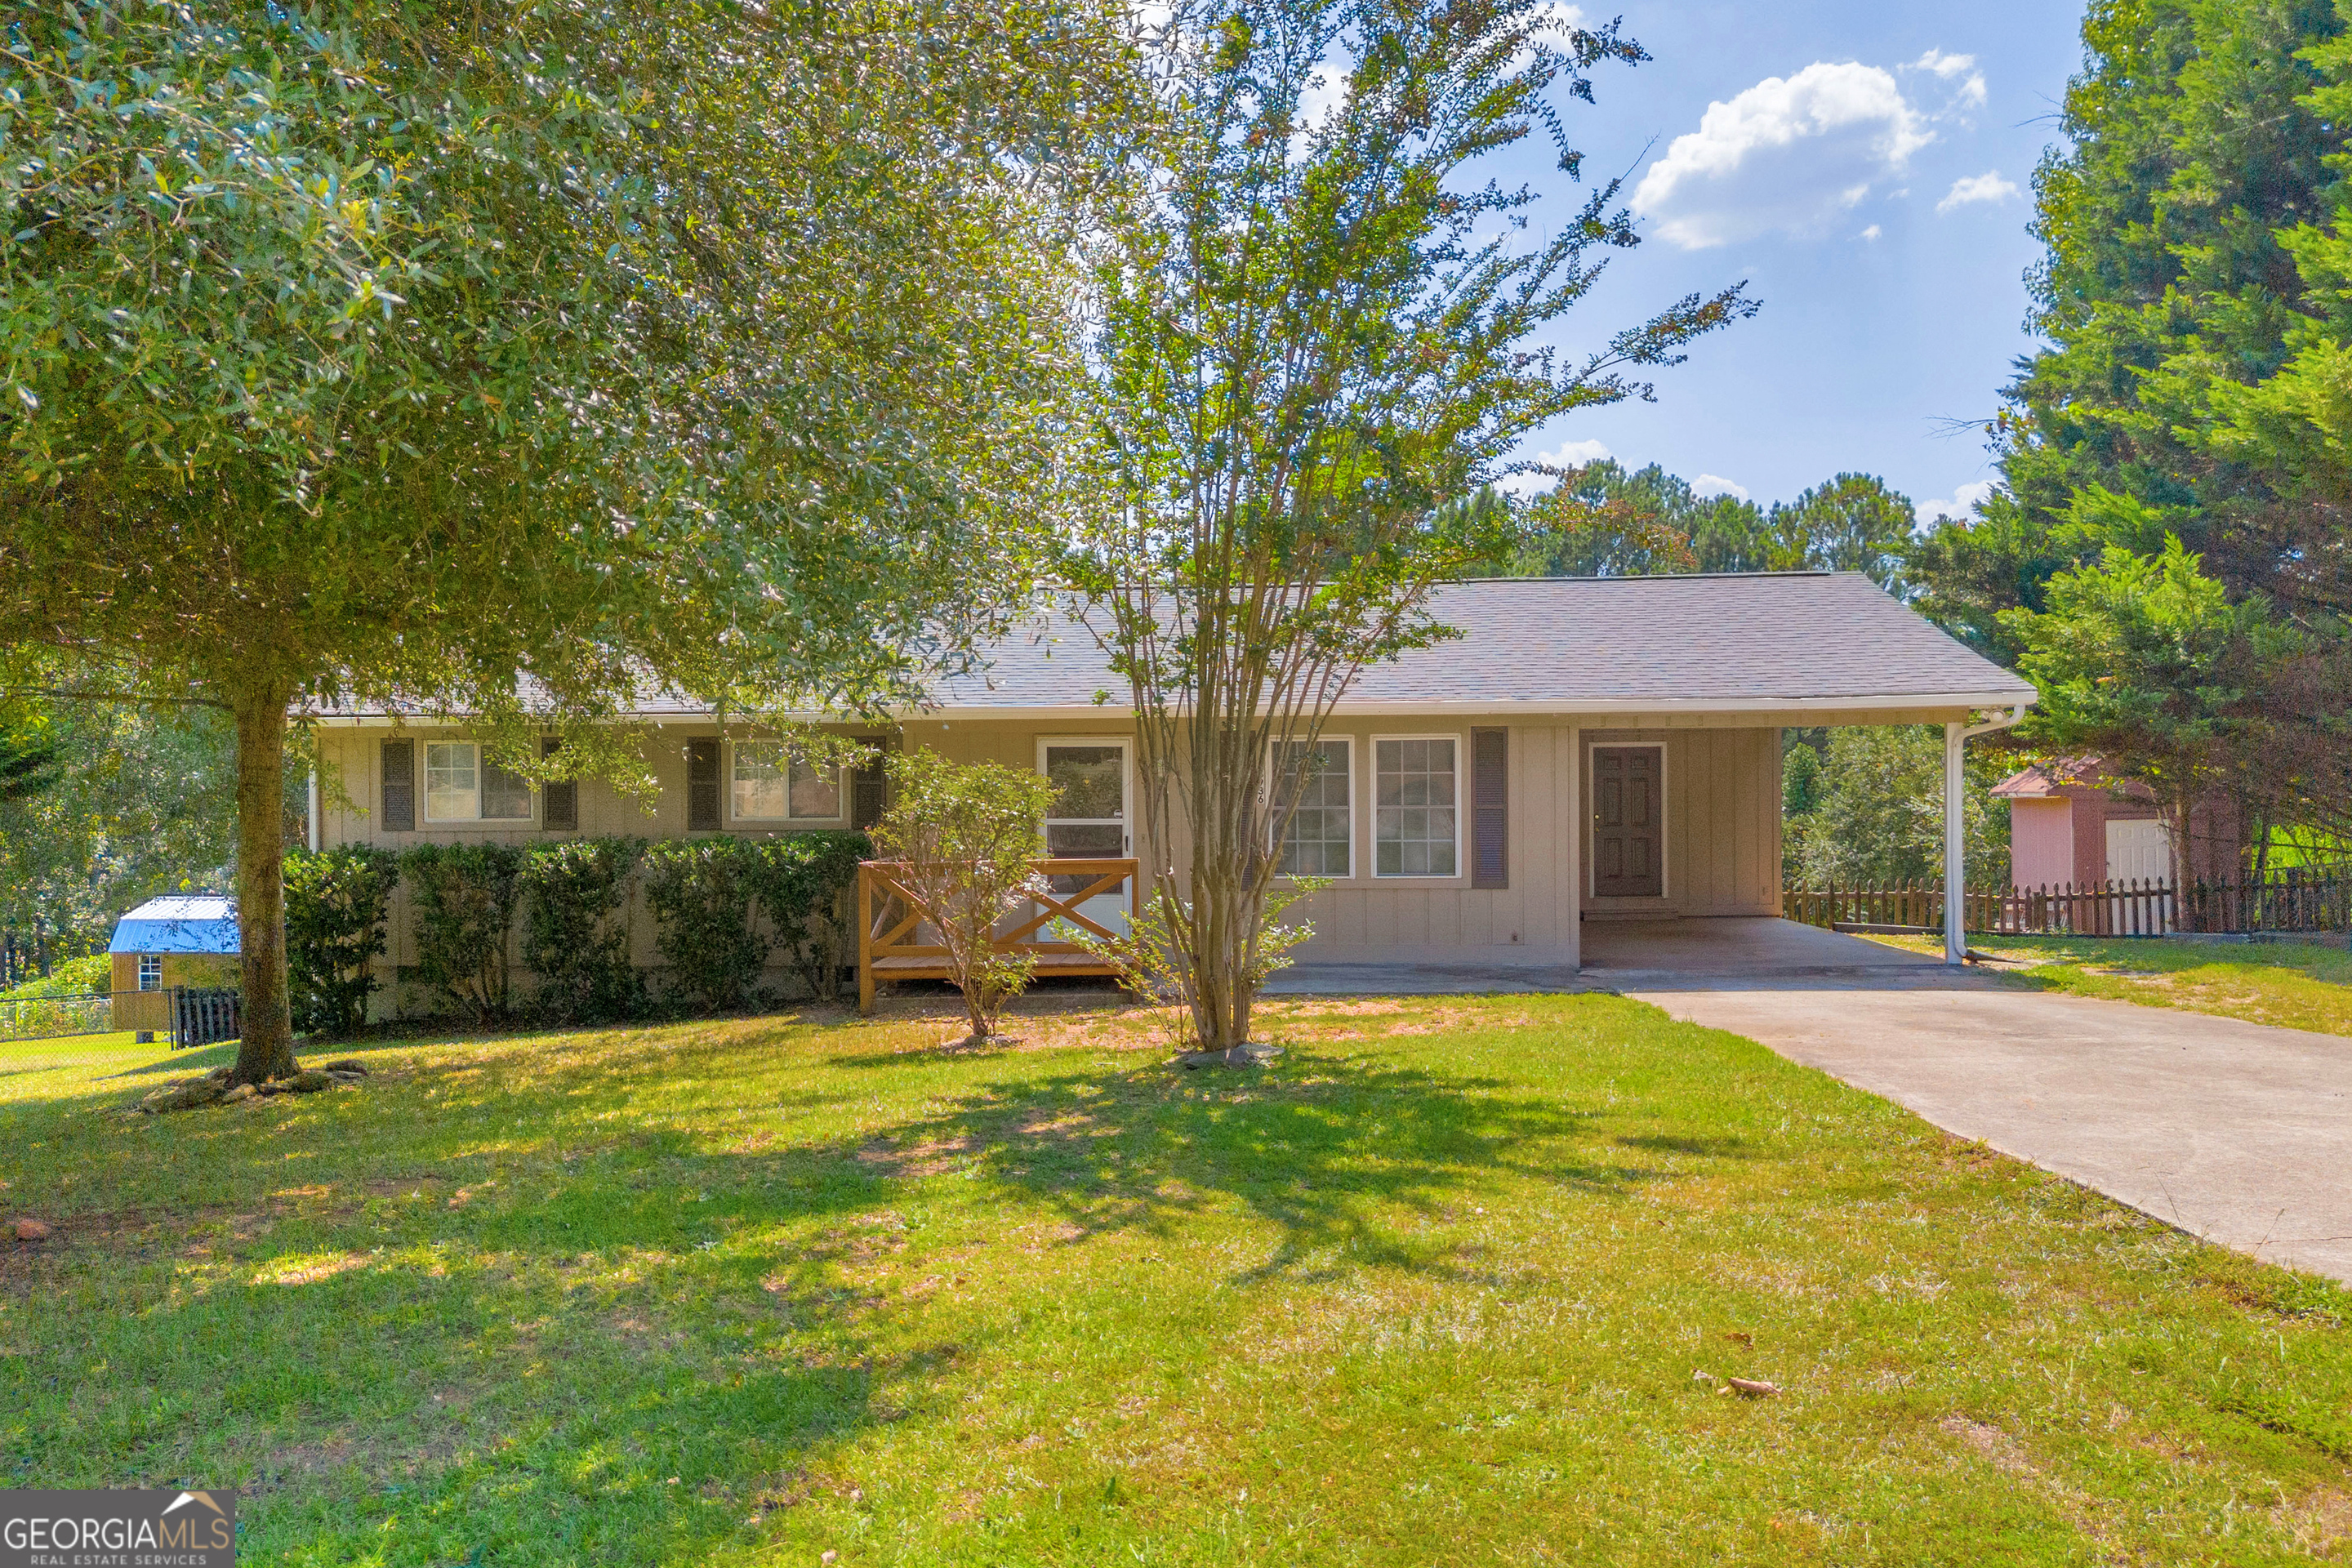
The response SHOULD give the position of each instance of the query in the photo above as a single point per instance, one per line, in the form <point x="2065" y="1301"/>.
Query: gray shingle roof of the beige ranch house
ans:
<point x="1601" y="643"/>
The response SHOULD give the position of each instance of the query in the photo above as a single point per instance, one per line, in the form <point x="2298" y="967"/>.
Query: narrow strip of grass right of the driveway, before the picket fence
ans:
<point x="2299" y="986"/>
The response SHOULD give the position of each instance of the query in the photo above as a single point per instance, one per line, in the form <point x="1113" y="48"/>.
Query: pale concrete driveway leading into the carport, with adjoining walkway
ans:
<point x="2236" y="1132"/>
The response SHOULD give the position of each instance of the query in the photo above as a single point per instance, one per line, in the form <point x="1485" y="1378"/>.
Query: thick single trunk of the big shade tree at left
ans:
<point x="267" y="1047"/>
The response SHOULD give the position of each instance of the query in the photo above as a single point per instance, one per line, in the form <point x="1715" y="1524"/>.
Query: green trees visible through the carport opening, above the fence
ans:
<point x="1878" y="817"/>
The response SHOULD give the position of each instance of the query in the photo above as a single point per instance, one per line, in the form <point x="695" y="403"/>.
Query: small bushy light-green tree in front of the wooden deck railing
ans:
<point x="963" y="840"/>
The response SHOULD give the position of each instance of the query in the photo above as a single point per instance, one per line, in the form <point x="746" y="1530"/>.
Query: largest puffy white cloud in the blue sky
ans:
<point x="1786" y="156"/>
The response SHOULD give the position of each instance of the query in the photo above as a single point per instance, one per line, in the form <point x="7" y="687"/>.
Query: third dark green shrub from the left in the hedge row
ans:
<point x="575" y="930"/>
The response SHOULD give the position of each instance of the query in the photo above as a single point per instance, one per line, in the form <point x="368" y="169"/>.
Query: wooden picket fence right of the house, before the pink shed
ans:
<point x="2292" y="902"/>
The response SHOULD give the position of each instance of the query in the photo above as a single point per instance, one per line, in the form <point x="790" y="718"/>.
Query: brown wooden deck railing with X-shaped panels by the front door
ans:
<point x="897" y="939"/>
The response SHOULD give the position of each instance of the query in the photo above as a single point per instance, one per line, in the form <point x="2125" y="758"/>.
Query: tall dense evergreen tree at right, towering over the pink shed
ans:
<point x="2196" y="307"/>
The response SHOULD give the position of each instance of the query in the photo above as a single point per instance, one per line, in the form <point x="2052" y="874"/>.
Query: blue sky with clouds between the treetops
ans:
<point x="1869" y="170"/>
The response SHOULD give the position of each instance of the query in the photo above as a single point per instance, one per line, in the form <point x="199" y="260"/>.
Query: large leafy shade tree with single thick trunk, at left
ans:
<point x="512" y="361"/>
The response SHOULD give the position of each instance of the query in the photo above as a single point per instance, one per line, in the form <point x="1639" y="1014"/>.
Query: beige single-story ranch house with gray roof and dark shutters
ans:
<point x="1589" y="749"/>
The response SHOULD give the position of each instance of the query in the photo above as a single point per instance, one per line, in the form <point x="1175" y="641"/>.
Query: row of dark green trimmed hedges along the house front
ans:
<point x="723" y="909"/>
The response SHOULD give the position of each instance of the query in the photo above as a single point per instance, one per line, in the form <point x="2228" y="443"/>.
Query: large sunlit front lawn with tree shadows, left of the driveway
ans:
<point x="1434" y="1289"/>
